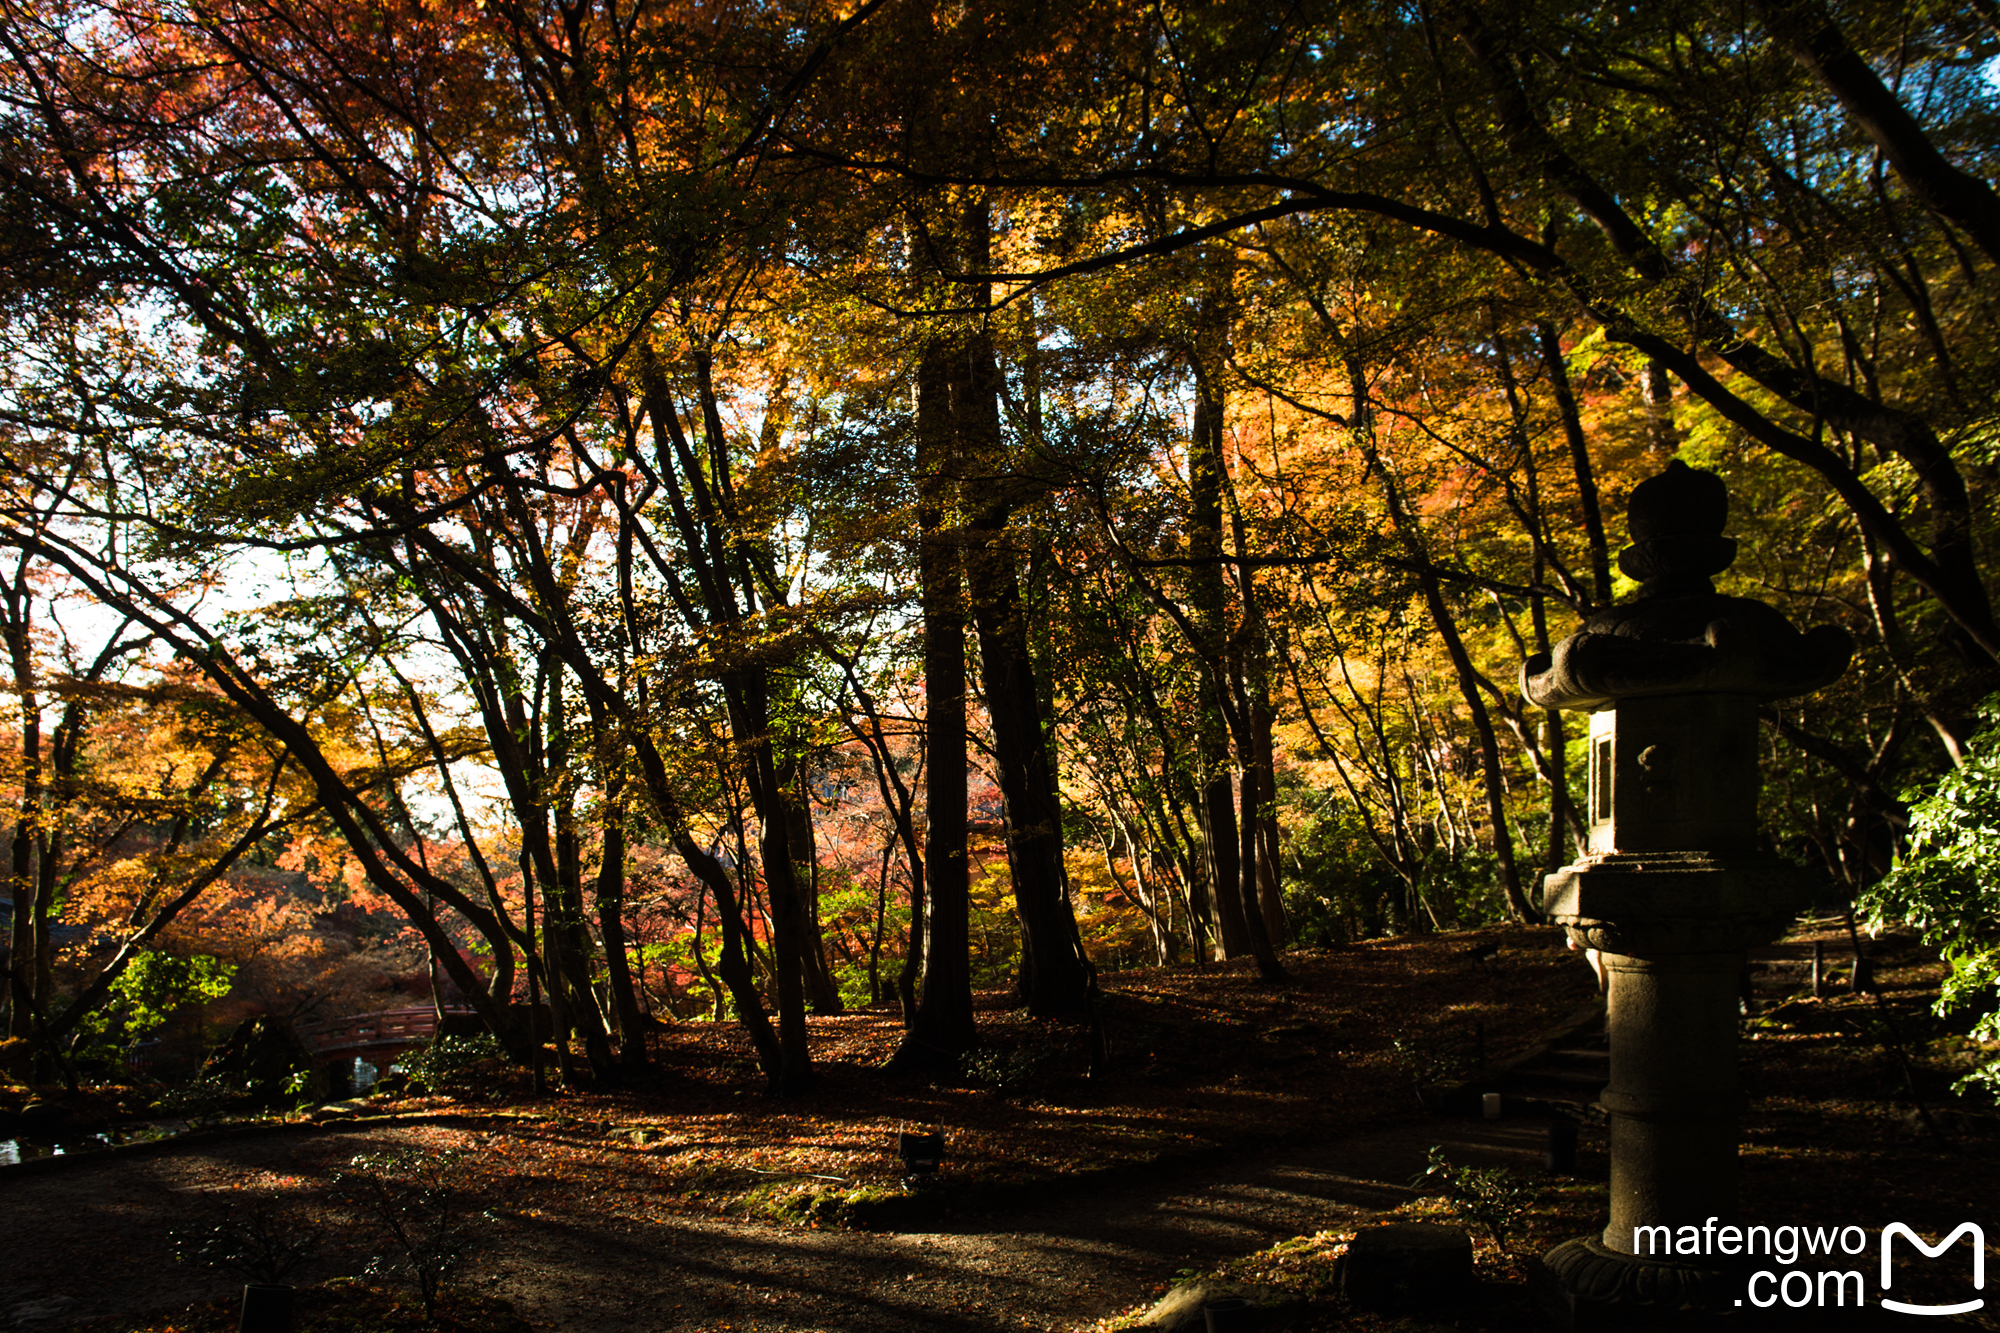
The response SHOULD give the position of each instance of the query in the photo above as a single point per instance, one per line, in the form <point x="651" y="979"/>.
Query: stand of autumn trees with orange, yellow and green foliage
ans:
<point x="543" y="447"/>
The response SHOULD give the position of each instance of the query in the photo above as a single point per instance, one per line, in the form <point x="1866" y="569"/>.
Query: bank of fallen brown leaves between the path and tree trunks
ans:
<point x="1201" y="1060"/>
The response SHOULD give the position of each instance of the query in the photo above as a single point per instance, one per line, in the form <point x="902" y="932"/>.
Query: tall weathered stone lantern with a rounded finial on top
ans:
<point x="1673" y="890"/>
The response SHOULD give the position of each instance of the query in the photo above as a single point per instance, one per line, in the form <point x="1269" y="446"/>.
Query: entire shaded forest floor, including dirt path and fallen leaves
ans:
<point x="1243" y="1134"/>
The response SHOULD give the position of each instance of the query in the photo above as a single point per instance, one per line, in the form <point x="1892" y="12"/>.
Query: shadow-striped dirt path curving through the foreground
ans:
<point x="589" y="1244"/>
